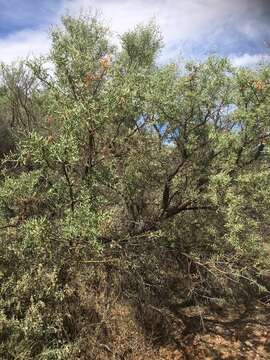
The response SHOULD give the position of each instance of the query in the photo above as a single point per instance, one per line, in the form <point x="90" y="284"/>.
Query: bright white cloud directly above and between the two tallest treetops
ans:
<point x="178" y="20"/>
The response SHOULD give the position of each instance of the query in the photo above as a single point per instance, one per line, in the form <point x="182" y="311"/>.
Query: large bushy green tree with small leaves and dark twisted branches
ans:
<point x="130" y="150"/>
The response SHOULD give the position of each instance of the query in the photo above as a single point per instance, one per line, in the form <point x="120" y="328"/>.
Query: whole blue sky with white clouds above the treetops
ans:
<point x="239" y="29"/>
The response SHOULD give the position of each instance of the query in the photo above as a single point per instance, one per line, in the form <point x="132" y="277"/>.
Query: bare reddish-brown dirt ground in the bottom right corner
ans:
<point x="231" y="337"/>
